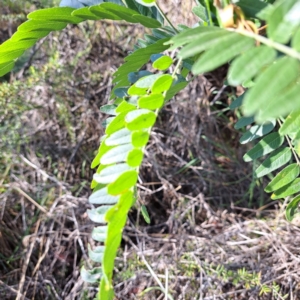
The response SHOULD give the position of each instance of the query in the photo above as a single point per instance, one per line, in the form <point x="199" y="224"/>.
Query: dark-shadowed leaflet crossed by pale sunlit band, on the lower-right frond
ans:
<point x="266" y="145"/>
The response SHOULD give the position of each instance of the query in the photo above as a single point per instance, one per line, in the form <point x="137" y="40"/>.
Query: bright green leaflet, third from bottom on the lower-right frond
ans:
<point x="284" y="177"/>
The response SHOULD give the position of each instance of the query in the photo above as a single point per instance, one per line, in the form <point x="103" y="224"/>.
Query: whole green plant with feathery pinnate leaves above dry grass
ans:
<point x="265" y="62"/>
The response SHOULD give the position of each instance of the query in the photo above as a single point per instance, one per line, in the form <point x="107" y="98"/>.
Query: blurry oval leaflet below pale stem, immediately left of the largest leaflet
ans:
<point x="250" y="63"/>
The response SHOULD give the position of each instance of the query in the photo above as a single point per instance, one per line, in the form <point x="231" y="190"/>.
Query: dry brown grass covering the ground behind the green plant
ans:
<point x="212" y="235"/>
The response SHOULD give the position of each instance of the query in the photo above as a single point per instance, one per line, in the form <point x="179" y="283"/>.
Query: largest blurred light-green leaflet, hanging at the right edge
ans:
<point x="271" y="83"/>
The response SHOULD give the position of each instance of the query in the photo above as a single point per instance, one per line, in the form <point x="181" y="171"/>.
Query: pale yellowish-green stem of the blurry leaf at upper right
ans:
<point x="280" y="47"/>
